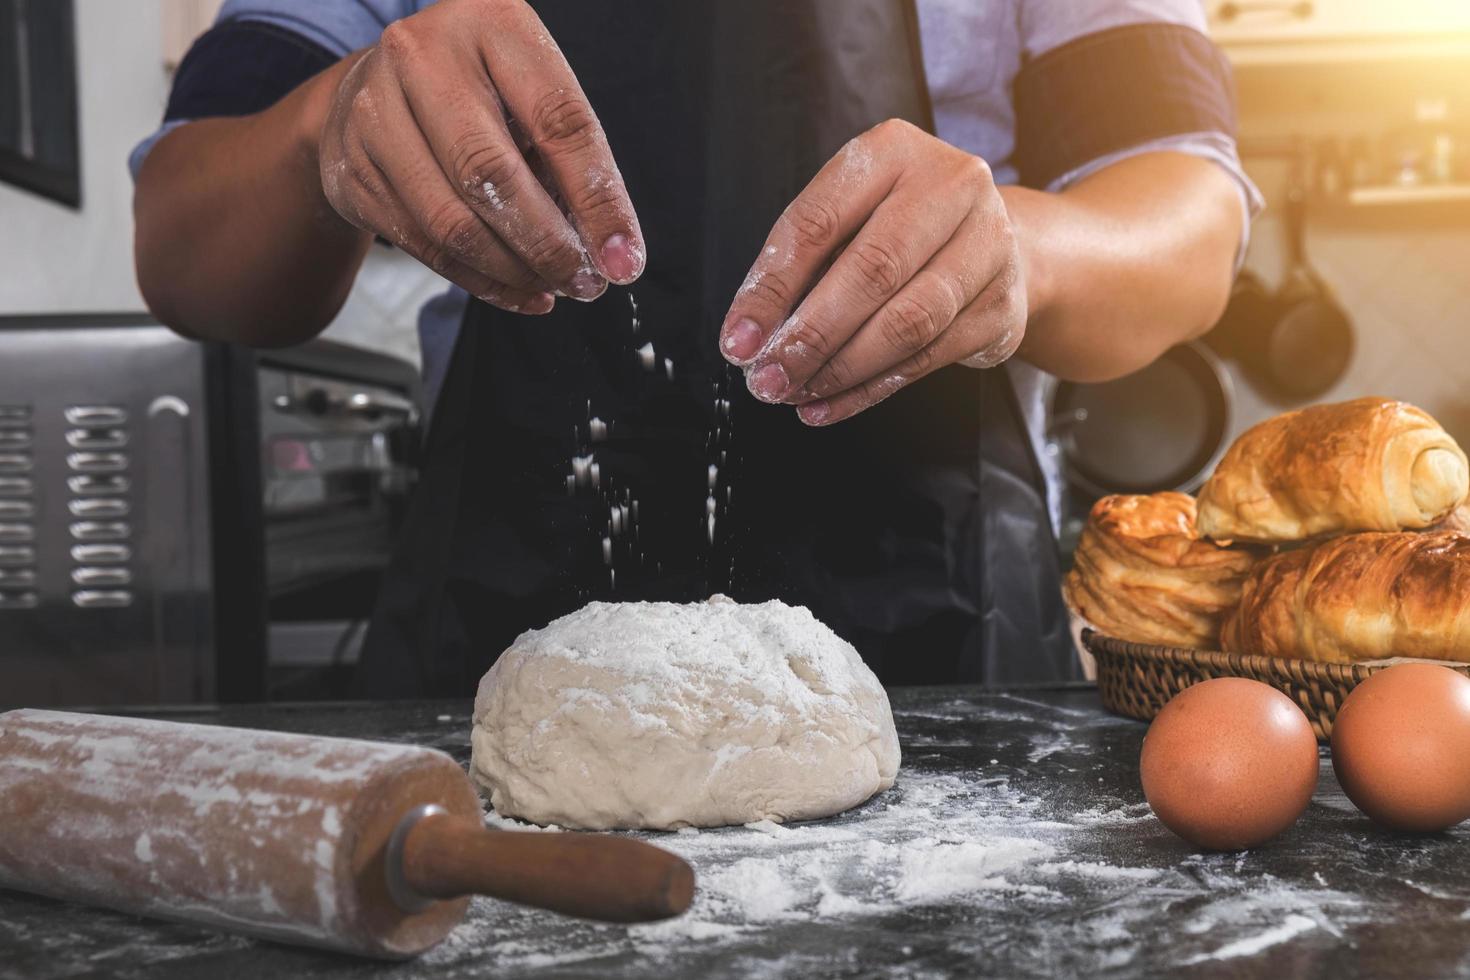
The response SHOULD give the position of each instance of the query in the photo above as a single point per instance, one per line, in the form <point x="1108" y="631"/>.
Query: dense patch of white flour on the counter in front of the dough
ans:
<point x="933" y="841"/>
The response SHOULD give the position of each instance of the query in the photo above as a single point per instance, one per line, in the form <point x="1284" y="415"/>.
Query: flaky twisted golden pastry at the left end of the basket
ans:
<point x="1143" y="574"/>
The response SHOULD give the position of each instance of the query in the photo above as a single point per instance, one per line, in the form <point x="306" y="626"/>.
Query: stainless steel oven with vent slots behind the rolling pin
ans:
<point x="148" y="533"/>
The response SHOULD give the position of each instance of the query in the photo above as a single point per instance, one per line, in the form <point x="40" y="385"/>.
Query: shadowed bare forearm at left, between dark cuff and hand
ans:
<point x="236" y="240"/>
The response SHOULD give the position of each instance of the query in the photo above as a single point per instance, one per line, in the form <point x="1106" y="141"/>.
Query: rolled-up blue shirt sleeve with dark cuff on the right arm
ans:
<point x="1108" y="80"/>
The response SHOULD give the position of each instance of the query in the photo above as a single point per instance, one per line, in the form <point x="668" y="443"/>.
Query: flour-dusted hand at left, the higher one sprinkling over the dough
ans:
<point x="464" y="139"/>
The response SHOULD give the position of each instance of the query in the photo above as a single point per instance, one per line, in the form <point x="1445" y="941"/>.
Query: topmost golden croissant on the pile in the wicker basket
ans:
<point x="1365" y="465"/>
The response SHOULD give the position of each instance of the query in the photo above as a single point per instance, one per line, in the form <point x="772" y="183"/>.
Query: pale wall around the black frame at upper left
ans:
<point x="57" y="259"/>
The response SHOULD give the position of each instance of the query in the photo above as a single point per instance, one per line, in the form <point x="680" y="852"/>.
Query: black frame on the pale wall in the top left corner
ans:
<point x="40" y="145"/>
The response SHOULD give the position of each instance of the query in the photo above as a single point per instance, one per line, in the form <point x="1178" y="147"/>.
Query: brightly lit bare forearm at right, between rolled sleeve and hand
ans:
<point x="1125" y="264"/>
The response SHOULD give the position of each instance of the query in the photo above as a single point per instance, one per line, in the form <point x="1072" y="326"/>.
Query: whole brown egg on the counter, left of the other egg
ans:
<point x="1230" y="763"/>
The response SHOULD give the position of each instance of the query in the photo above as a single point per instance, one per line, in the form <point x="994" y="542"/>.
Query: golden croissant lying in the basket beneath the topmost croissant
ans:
<point x="1359" y="597"/>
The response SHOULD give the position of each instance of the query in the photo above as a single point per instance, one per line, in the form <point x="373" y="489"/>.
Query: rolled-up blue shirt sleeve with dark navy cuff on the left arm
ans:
<point x="259" y="51"/>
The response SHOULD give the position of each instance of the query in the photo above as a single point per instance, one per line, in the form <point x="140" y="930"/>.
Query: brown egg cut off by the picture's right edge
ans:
<point x="1402" y="747"/>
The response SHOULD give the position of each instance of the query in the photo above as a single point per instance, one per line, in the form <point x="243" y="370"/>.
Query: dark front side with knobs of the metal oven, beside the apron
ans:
<point x="339" y="442"/>
